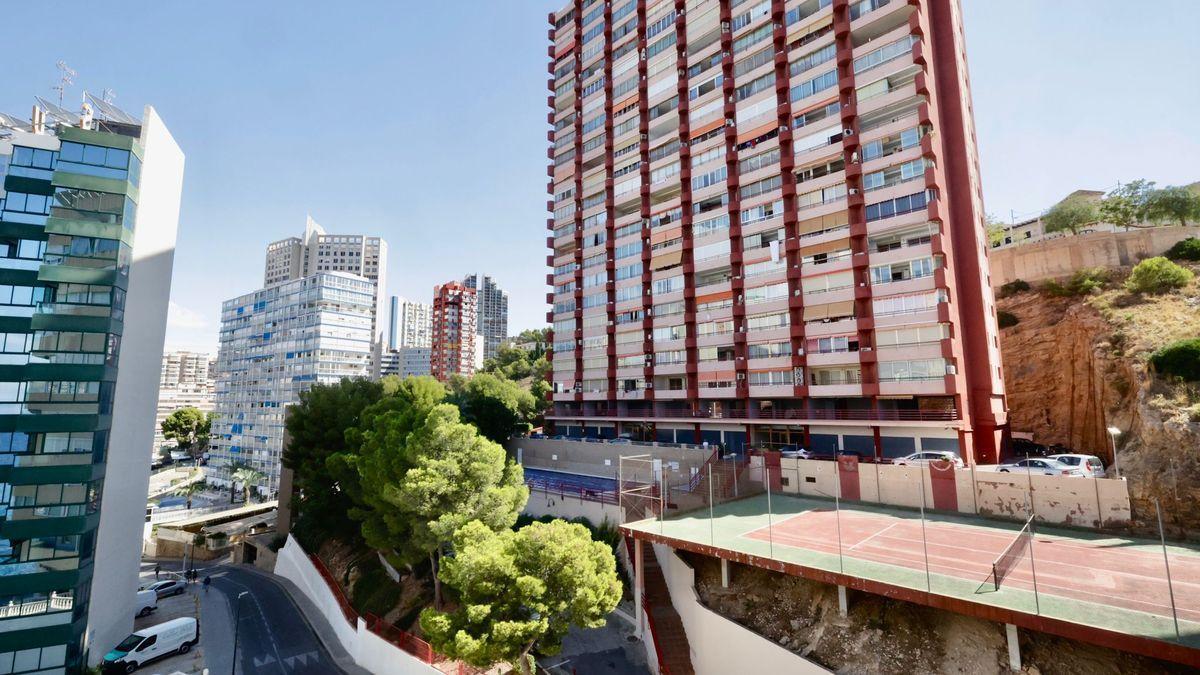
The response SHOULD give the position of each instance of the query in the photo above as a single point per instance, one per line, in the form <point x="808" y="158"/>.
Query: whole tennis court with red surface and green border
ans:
<point x="1085" y="578"/>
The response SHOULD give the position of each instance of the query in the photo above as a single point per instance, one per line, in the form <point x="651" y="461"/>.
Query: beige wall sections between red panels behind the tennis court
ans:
<point x="1088" y="503"/>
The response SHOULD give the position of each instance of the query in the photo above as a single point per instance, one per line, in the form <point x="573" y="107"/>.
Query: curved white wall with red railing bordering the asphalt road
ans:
<point x="369" y="650"/>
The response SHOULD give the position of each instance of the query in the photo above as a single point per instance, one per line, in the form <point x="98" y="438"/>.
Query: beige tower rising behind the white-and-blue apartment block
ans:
<point x="317" y="252"/>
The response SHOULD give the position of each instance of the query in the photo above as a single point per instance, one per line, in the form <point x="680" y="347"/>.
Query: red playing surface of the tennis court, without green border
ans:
<point x="1103" y="571"/>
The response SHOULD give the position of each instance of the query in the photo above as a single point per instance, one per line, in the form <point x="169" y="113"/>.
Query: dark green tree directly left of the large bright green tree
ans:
<point x="317" y="429"/>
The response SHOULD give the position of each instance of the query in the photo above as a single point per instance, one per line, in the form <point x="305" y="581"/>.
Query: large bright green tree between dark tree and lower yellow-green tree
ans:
<point x="422" y="485"/>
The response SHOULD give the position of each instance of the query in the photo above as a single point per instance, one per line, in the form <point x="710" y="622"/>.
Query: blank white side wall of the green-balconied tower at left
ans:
<point x="136" y="398"/>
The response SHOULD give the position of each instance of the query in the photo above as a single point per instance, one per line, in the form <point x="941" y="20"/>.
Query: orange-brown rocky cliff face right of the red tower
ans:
<point x="1075" y="367"/>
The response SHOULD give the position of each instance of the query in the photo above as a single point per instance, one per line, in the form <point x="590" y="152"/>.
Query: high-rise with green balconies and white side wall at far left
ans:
<point x="89" y="210"/>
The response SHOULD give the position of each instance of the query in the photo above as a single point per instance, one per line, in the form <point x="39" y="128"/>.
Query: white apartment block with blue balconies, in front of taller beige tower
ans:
<point x="275" y="344"/>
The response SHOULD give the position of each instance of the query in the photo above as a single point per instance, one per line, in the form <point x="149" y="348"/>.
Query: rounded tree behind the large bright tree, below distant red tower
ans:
<point x="497" y="407"/>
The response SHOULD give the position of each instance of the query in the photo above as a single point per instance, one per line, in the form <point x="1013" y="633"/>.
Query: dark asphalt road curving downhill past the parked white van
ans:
<point x="273" y="636"/>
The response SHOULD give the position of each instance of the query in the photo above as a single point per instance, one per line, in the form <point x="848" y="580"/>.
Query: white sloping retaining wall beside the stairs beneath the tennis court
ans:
<point x="718" y="646"/>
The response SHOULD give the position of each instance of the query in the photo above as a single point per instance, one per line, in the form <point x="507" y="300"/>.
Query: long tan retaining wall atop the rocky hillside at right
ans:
<point x="1053" y="259"/>
